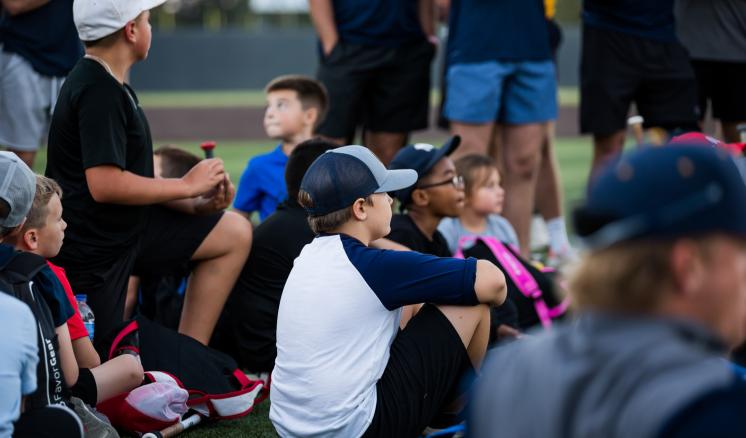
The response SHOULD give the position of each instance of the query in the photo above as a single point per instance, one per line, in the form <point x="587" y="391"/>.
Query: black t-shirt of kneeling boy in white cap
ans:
<point x="97" y="121"/>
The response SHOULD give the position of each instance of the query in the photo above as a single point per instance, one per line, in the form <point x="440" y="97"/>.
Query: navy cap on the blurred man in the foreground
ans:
<point x="664" y="193"/>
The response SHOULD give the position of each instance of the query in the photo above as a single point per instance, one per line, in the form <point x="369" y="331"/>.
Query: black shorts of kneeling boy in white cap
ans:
<point x="168" y="241"/>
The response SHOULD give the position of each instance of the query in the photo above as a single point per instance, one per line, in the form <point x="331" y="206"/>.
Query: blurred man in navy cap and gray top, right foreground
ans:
<point x="661" y="298"/>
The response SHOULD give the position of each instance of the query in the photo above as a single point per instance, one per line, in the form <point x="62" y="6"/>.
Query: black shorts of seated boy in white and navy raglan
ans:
<point x="423" y="376"/>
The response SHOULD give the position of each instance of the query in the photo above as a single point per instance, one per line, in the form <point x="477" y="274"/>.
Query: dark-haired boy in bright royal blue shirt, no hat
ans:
<point x="295" y="106"/>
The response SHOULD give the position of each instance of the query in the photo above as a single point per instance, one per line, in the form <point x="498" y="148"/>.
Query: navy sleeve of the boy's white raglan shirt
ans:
<point x="400" y="278"/>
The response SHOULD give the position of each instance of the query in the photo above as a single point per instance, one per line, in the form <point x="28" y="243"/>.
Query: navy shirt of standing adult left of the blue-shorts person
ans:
<point x="378" y="22"/>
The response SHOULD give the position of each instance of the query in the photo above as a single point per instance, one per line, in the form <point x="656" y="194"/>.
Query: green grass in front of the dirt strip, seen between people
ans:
<point x="574" y="159"/>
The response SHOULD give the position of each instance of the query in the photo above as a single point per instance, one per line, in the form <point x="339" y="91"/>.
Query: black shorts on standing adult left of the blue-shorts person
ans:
<point x="384" y="89"/>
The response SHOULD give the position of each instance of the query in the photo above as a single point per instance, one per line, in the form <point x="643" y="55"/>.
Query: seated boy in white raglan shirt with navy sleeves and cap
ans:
<point x="343" y="367"/>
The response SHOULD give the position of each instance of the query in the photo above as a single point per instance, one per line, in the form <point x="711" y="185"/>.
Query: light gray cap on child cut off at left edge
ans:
<point x="17" y="189"/>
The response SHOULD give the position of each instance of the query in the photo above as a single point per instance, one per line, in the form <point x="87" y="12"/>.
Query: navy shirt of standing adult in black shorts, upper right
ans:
<point x="651" y="19"/>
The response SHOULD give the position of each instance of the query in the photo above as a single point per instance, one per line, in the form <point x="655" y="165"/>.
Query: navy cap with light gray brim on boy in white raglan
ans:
<point x="340" y="176"/>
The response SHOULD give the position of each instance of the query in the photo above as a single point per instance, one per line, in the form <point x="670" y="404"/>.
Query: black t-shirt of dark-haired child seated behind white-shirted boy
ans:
<point x="248" y="326"/>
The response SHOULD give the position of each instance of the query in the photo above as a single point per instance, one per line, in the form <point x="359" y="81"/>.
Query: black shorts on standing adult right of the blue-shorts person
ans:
<point x="617" y="69"/>
